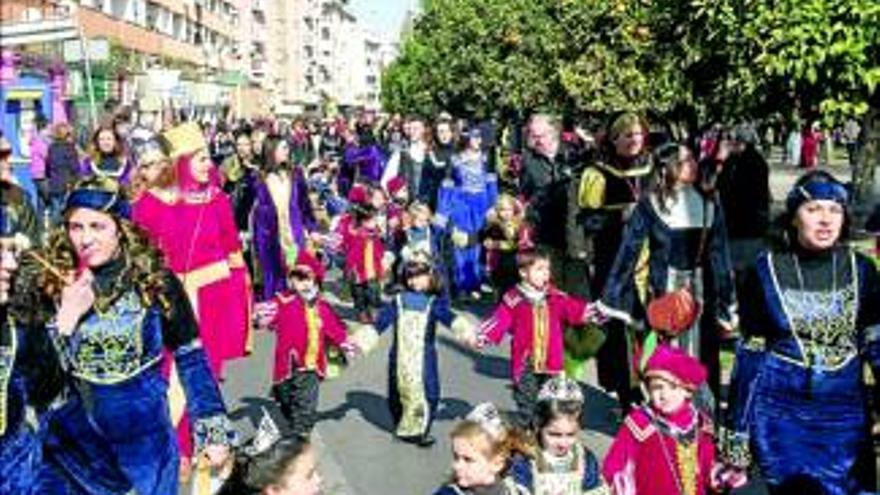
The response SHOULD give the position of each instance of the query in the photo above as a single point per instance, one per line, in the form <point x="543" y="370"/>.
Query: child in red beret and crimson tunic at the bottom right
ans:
<point x="668" y="446"/>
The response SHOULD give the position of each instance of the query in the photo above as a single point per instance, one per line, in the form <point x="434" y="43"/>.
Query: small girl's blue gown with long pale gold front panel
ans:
<point x="413" y="371"/>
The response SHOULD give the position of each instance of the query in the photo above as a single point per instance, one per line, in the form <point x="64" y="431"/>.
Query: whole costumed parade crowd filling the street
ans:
<point x="133" y="273"/>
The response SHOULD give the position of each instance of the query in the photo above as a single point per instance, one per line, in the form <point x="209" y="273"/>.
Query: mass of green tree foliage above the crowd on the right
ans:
<point x="730" y="58"/>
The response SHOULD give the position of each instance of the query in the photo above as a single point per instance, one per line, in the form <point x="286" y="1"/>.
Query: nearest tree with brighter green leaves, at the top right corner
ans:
<point x="819" y="56"/>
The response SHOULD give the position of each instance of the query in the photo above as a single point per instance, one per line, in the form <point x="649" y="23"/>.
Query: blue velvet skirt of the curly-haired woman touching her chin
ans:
<point x="112" y="440"/>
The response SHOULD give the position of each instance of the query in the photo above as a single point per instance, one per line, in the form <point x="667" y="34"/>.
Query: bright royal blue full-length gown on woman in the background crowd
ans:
<point x="461" y="207"/>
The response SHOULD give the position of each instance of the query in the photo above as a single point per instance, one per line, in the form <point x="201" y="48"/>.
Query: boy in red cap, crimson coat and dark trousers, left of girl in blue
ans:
<point x="304" y="322"/>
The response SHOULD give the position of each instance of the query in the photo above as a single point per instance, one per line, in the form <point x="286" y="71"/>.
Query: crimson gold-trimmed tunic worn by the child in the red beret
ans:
<point x="645" y="459"/>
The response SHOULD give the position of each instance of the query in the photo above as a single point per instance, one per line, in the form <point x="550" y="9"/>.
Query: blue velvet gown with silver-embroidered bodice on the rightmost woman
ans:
<point x="811" y="320"/>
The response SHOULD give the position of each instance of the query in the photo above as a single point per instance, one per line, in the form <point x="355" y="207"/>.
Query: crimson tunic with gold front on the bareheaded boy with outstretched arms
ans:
<point x="529" y="322"/>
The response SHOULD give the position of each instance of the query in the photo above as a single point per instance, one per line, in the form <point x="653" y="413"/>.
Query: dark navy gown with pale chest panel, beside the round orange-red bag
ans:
<point x="686" y="246"/>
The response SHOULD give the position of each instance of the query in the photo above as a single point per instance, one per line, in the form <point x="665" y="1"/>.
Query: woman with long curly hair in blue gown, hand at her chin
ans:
<point x="113" y="311"/>
